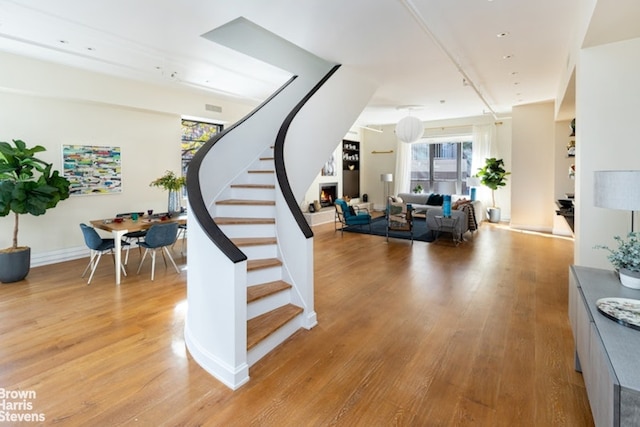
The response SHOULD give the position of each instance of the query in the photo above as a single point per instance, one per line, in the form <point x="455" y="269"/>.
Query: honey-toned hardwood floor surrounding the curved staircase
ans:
<point x="413" y="335"/>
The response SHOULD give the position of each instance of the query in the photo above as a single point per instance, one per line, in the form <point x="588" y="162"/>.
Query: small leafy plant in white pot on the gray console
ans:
<point x="626" y="259"/>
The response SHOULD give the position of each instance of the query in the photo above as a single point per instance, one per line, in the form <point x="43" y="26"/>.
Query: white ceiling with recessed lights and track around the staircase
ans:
<point x="441" y="55"/>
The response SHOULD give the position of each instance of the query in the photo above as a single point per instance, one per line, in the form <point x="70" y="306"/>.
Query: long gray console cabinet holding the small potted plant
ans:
<point x="607" y="353"/>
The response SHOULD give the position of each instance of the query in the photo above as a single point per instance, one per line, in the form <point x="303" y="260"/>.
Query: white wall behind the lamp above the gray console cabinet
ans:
<point x="607" y="107"/>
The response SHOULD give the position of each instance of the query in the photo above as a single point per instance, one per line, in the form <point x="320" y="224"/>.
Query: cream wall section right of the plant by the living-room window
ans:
<point x="533" y="167"/>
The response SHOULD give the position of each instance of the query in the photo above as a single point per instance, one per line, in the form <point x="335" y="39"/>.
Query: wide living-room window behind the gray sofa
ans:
<point x="443" y="161"/>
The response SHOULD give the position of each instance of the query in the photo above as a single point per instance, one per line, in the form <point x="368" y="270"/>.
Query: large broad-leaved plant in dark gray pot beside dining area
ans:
<point x="28" y="185"/>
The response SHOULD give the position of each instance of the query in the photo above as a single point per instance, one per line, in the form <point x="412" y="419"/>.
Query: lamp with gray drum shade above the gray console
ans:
<point x="617" y="190"/>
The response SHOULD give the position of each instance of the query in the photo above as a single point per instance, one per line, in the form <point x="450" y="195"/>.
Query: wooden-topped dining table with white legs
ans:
<point x="121" y="226"/>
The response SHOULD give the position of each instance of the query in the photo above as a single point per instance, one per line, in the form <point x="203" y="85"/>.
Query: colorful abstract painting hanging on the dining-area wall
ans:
<point x="92" y="169"/>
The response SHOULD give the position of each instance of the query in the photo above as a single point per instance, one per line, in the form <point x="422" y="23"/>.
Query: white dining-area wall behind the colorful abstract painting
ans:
<point x="51" y="105"/>
